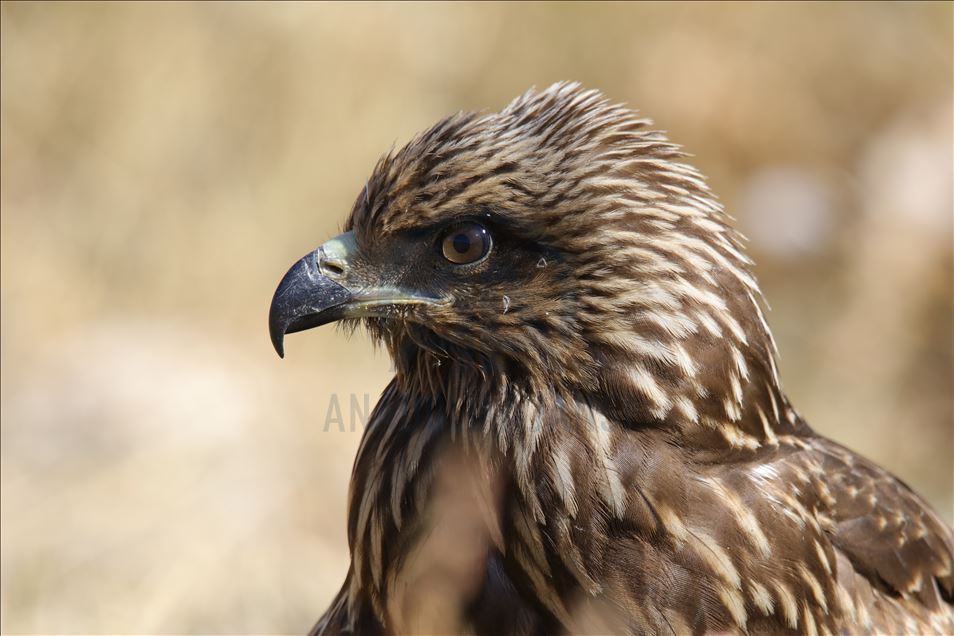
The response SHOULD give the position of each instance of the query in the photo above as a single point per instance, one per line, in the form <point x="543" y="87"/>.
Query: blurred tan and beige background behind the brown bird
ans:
<point x="164" y="164"/>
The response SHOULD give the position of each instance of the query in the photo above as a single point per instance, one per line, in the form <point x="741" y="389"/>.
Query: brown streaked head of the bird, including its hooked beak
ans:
<point x="559" y="246"/>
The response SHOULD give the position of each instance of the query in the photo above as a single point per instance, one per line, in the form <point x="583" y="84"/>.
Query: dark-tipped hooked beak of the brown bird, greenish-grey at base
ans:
<point x="323" y="287"/>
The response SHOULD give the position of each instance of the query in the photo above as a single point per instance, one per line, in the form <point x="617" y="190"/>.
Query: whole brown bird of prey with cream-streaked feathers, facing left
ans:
<point x="586" y="415"/>
